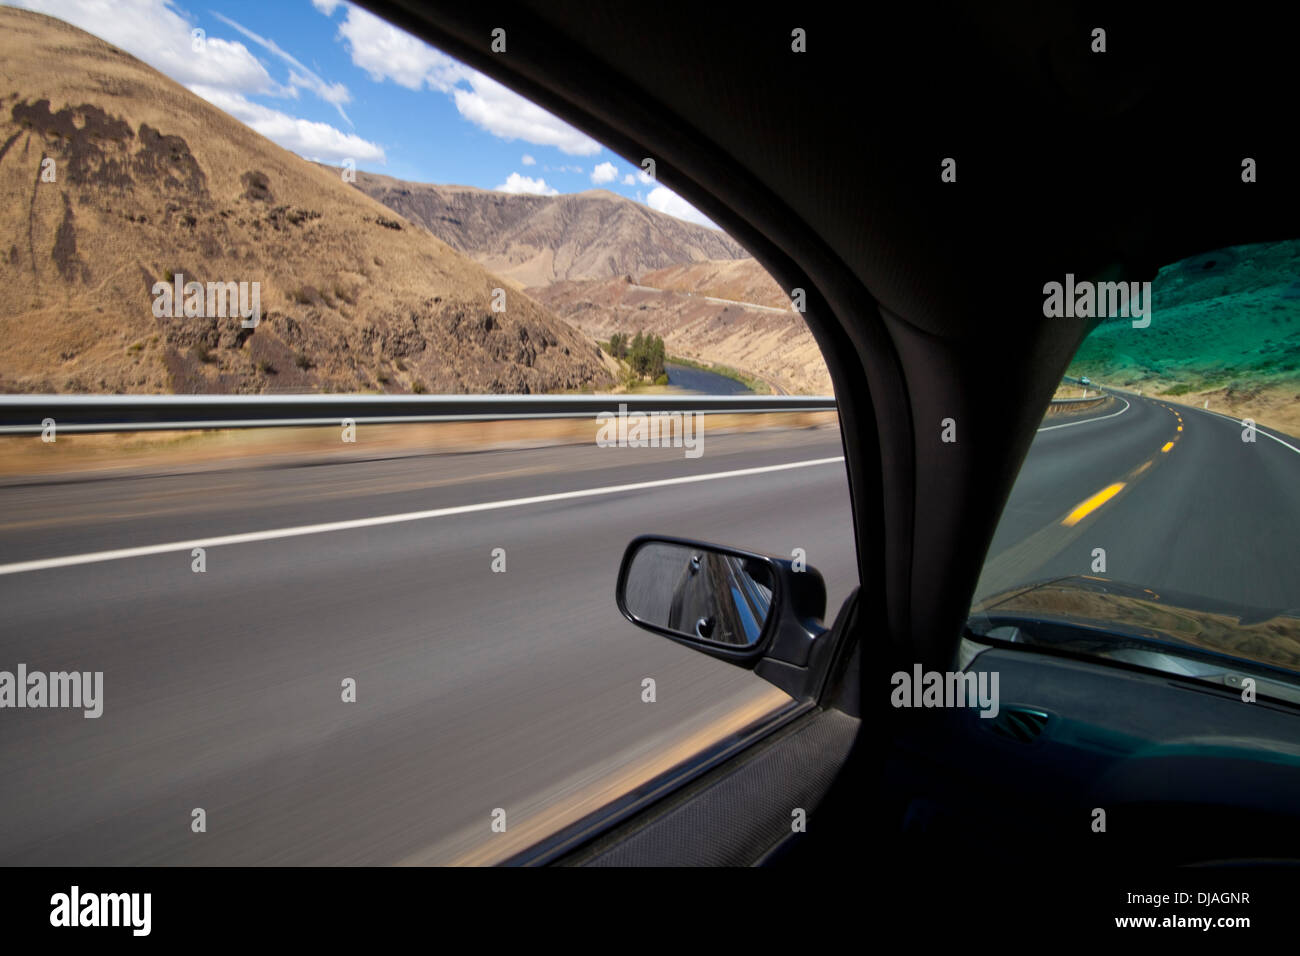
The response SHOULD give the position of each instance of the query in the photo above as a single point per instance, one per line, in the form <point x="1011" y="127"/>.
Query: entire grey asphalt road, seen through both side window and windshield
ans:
<point x="476" y="691"/>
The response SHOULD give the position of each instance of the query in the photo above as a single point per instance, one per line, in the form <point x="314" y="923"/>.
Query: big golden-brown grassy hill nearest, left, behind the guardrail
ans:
<point x="150" y="180"/>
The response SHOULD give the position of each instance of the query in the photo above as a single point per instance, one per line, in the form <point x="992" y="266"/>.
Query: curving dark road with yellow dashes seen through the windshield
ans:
<point x="1212" y="516"/>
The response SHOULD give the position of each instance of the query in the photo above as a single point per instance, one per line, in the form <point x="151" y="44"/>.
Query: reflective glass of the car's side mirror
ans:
<point x="700" y="592"/>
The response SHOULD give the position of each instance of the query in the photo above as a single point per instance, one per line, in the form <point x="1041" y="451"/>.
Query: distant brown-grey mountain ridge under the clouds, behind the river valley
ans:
<point x="539" y="240"/>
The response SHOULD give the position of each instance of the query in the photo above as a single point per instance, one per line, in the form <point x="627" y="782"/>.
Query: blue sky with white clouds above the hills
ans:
<point x="333" y="83"/>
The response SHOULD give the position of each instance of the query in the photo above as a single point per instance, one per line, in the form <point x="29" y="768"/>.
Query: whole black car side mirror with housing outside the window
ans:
<point x="751" y="609"/>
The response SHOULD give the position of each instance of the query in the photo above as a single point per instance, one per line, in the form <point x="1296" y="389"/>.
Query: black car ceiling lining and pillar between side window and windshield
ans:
<point x="925" y="296"/>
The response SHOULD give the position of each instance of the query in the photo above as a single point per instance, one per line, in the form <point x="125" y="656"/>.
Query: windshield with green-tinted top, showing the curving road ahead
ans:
<point x="1160" y="501"/>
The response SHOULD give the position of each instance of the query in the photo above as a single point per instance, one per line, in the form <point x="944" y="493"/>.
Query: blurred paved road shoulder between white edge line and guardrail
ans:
<point x="49" y="518"/>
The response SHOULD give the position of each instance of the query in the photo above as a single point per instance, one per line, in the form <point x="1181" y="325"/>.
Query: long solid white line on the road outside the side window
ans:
<point x="248" y="538"/>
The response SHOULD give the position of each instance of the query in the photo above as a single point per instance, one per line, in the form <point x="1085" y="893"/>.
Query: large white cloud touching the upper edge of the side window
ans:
<point x="387" y="53"/>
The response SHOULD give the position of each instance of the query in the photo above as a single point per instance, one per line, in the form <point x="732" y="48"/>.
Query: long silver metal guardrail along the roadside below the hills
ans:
<point x="27" y="414"/>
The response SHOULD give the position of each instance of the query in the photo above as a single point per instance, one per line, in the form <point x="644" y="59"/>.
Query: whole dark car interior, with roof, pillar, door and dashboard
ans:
<point x="926" y="297"/>
